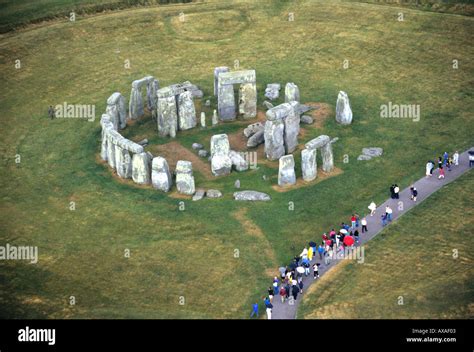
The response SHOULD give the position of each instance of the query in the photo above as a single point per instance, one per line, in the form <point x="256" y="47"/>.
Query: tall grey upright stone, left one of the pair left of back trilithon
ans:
<point x="167" y="116"/>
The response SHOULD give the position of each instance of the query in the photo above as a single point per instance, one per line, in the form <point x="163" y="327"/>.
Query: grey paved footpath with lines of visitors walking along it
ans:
<point x="425" y="187"/>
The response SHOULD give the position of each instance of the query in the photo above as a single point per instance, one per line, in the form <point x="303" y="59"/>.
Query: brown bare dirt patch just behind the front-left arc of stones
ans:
<point x="174" y="151"/>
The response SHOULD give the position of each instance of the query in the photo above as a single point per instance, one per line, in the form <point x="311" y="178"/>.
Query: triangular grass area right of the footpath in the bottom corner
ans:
<point x="425" y="257"/>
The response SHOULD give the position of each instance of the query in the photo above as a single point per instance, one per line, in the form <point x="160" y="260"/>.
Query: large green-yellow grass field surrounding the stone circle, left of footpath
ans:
<point x="190" y="254"/>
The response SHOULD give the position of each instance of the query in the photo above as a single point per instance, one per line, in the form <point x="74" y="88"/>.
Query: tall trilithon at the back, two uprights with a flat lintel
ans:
<point x="247" y="94"/>
